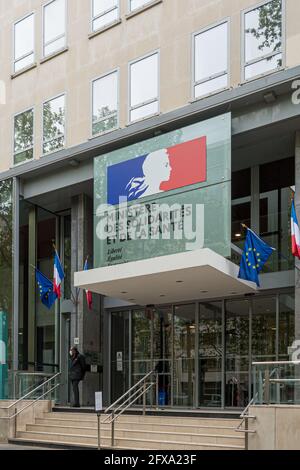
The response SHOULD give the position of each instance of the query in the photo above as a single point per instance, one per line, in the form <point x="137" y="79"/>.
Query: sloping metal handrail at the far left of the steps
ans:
<point x="46" y="389"/>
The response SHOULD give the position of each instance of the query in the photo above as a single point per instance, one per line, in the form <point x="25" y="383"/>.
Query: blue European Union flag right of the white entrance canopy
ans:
<point x="256" y="253"/>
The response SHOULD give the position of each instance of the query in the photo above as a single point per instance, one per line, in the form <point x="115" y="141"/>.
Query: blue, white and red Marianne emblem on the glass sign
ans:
<point x="159" y="171"/>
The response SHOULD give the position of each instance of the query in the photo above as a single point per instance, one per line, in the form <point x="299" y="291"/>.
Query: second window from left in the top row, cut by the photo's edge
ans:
<point x="54" y="27"/>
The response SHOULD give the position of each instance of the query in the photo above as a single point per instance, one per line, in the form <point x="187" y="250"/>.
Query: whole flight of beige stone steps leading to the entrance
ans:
<point x="134" y="432"/>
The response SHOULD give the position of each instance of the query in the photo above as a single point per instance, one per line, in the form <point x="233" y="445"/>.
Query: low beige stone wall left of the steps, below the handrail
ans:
<point x="28" y="416"/>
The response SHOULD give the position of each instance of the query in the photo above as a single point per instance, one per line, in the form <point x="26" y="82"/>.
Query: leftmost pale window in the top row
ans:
<point x="24" y="43"/>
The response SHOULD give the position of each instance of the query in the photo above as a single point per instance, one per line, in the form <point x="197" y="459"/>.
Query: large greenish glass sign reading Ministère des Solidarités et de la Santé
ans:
<point x="165" y="195"/>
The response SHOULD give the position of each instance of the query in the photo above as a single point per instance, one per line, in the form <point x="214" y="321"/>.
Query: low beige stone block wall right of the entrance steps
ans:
<point x="277" y="428"/>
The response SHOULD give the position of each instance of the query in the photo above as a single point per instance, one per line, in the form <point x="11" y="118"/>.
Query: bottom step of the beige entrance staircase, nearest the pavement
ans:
<point x="121" y="443"/>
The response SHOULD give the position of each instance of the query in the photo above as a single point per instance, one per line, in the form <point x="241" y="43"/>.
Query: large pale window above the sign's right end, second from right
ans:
<point x="211" y="60"/>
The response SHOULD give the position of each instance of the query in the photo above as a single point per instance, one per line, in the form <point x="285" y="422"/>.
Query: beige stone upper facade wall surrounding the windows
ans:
<point x="168" y="26"/>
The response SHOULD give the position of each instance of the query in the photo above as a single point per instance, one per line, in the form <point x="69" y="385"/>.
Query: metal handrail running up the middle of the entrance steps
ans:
<point x="137" y="391"/>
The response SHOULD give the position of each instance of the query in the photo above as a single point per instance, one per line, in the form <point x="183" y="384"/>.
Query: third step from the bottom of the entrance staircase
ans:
<point x="198" y="429"/>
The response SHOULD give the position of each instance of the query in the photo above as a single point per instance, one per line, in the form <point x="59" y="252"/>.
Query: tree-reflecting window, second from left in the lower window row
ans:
<point x="54" y="124"/>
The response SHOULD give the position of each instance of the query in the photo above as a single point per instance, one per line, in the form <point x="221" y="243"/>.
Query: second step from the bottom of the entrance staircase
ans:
<point x="144" y="434"/>
